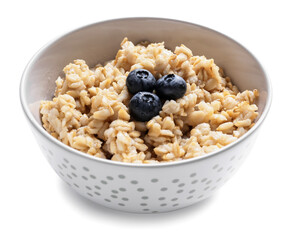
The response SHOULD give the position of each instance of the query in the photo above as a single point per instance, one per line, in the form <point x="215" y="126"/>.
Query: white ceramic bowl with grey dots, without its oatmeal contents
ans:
<point x="141" y="188"/>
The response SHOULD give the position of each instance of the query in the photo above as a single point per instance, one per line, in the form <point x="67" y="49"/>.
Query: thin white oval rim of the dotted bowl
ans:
<point x="42" y="131"/>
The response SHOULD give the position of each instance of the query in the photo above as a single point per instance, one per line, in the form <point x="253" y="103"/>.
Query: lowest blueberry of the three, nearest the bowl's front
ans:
<point x="143" y="106"/>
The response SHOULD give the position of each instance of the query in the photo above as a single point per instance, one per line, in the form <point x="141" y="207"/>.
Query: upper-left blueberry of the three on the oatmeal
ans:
<point x="140" y="80"/>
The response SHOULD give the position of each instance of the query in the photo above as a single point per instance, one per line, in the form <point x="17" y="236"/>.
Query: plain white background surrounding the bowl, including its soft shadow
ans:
<point x="254" y="204"/>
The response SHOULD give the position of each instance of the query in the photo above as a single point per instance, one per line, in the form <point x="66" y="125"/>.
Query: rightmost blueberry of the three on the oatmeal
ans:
<point x="171" y="86"/>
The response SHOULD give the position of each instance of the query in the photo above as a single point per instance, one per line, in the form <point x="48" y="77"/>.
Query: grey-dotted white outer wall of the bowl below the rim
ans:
<point x="146" y="192"/>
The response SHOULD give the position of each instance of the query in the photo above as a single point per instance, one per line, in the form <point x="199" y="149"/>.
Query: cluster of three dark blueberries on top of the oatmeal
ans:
<point x="145" y="104"/>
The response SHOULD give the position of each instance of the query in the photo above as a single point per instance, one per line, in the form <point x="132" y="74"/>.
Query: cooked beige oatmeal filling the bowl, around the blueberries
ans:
<point x="90" y="110"/>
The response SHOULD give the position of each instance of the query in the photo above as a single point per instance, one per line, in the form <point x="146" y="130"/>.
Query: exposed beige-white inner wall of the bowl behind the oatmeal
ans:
<point x="100" y="42"/>
